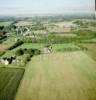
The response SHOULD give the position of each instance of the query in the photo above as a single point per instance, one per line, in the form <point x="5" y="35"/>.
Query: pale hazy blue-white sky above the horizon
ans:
<point x="45" y="6"/>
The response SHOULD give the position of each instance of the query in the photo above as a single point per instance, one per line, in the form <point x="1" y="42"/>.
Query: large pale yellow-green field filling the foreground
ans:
<point x="59" y="76"/>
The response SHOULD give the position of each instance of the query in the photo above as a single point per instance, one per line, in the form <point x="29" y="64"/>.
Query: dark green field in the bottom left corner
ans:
<point x="9" y="82"/>
